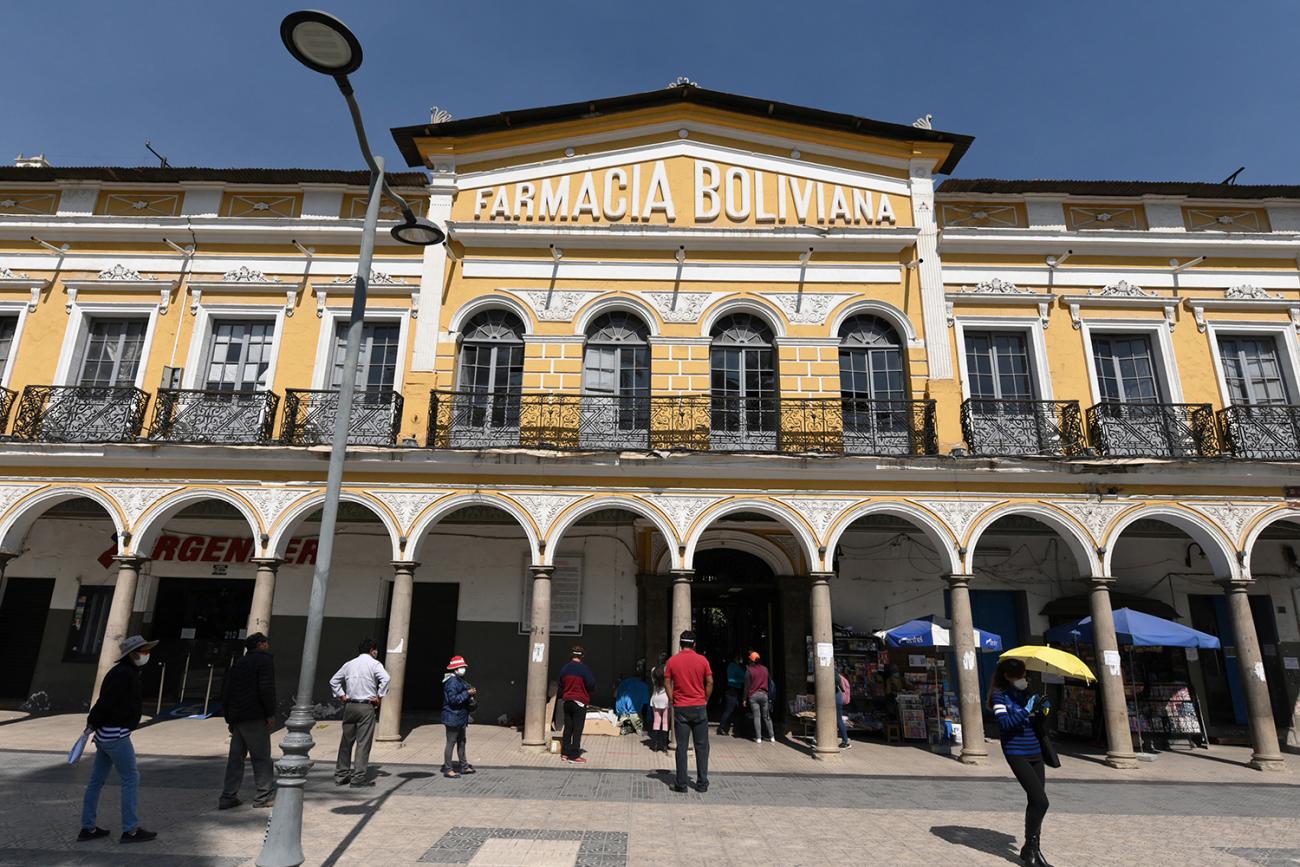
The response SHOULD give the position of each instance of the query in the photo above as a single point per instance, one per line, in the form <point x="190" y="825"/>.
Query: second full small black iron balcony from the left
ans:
<point x="219" y="418"/>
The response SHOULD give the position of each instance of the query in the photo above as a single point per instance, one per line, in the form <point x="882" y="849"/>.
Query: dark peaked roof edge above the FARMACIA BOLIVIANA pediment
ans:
<point x="765" y="109"/>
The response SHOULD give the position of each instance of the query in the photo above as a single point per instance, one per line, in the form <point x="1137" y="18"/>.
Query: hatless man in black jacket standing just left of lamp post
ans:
<point x="249" y="699"/>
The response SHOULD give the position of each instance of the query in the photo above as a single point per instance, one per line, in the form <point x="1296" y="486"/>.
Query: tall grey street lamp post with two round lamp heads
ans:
<point x="324" y="45"/>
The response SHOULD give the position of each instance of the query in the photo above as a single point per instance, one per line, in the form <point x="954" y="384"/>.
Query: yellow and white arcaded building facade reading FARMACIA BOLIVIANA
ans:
<point x="687" y="359"/>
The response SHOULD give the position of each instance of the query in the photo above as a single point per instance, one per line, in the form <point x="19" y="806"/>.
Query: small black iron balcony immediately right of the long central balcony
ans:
<point x="1022" y="428"/>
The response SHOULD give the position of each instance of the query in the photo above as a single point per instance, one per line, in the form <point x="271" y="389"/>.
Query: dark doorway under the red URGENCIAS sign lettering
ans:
<point x="200" y="626"/>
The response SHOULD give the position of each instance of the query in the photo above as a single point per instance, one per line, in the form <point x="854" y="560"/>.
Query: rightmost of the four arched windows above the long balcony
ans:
<point x="873" y="389"/>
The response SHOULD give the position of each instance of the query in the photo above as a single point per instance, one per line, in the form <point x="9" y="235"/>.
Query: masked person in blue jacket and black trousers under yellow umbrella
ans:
<point x="1015" y="709"/>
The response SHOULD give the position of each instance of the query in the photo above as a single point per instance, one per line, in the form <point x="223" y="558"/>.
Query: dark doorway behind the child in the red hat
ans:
<point x="432" y="643"/>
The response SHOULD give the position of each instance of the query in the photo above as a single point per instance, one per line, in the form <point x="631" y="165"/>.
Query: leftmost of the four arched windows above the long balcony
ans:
<point x="487" y="410"/>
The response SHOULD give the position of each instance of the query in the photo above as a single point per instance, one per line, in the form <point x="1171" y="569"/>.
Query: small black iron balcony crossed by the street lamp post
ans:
<point x="375" y="421"/>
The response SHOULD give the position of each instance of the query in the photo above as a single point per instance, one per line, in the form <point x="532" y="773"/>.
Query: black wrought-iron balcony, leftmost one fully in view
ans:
<point x="80" y="414"/>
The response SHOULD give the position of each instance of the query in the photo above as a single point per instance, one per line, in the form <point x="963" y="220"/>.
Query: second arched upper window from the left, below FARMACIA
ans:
<point x="617" y="383"/>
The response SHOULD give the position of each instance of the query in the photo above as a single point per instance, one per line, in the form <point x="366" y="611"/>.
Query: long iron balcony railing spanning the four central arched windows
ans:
<point x="681" y="423"/>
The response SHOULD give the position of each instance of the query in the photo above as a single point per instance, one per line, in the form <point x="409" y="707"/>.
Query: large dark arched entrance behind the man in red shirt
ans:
<point x="735" y="609"/>
